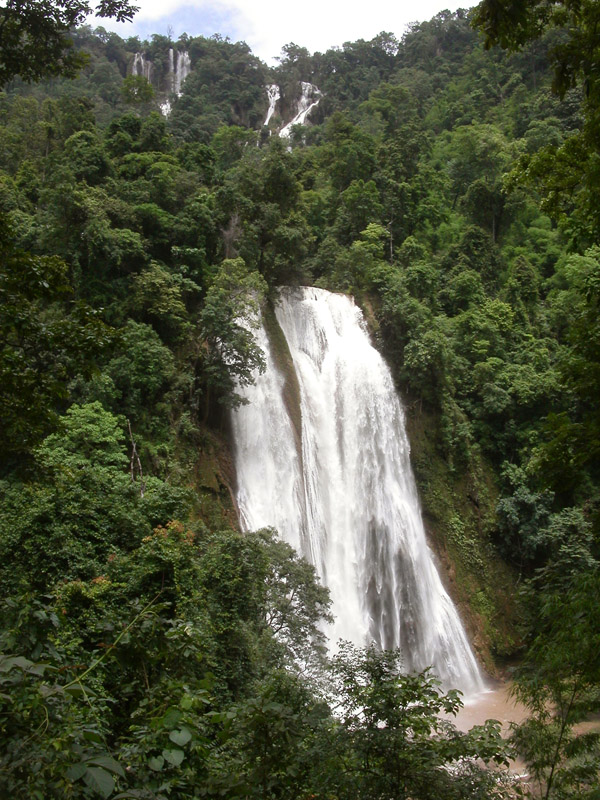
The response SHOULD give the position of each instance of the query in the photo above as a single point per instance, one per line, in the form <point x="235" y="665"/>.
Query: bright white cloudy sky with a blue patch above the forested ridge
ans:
<point x="266" y="25"/>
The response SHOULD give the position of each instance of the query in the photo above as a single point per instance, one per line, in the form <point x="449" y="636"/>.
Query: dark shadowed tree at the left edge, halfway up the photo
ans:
<point x="46" y="339"/>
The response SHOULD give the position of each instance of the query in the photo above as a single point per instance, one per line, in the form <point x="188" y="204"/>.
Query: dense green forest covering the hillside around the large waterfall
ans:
<point x="448" y="180"/>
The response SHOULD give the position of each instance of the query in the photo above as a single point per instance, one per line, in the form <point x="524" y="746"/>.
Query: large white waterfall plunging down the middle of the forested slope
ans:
<point x="322" y="456"/>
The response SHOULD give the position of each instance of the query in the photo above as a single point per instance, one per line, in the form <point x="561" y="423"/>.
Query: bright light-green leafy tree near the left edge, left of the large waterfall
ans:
<point x="84" y="505"/>
